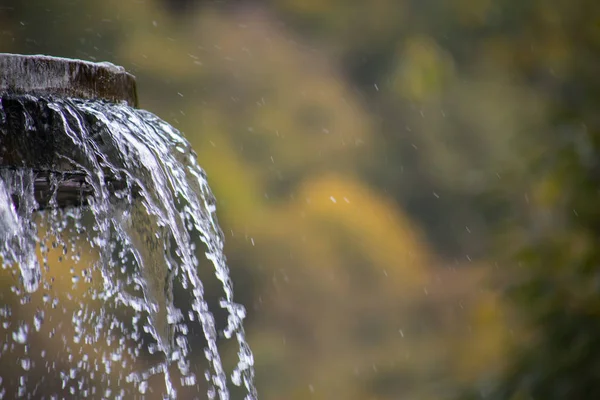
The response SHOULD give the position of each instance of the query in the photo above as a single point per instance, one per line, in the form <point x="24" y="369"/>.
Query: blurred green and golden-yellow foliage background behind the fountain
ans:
<point x="408" y="188"/>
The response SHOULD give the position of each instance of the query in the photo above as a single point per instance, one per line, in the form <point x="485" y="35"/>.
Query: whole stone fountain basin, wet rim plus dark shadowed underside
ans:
<point x="31" y="137"/>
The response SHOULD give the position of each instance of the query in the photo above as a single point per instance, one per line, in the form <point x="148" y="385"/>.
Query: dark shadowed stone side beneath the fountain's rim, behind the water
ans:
<point x="35" y="137"/>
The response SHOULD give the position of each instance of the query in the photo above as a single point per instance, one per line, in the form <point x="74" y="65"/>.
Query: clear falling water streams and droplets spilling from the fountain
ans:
<point x="128" y="251"/>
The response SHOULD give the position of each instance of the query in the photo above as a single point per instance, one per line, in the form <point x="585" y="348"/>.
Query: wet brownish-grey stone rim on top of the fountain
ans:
<point x="44" y="75"/>
